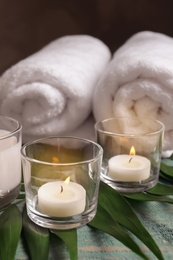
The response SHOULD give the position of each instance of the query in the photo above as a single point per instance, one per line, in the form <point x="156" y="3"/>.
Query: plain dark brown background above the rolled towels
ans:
<point x="28" y="25"/>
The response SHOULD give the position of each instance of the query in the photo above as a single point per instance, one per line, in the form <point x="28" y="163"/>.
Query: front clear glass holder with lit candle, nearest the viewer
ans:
<point x="61" y="177"/>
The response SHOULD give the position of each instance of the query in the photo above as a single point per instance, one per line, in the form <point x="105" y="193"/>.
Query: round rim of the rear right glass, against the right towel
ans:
<point x="129" y="135"/>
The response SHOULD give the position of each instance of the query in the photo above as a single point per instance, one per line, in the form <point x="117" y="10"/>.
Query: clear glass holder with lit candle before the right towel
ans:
<point x="131" y="152"/>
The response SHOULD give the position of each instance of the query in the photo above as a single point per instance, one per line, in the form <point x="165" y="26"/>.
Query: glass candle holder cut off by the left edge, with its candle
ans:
<point x="10" y="160"/>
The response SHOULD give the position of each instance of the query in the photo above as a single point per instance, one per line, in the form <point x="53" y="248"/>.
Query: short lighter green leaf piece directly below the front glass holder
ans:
<point x="70" y="239"/>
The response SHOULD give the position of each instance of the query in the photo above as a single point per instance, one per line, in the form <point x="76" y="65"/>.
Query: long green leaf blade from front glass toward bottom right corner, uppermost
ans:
<point x="121" y="211"/>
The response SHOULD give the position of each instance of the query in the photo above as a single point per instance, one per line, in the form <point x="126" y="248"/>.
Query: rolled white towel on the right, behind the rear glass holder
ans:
<point x="139" y="82"/>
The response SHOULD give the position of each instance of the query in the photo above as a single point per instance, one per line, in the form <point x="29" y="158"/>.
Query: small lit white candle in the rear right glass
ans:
<point x="129" y="168"/>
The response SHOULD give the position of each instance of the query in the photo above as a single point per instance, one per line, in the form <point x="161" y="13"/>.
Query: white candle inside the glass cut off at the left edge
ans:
<point x="10" y="163"/>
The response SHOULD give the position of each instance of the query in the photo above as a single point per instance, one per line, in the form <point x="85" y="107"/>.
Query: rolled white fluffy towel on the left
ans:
<point x="50" y="92"/>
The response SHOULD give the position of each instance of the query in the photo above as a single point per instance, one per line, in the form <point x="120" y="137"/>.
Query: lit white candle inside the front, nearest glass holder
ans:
<point x="61" y="200"/>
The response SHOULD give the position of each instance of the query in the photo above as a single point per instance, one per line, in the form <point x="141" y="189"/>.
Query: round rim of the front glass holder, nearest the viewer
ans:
<point x="99" y="154"/>
